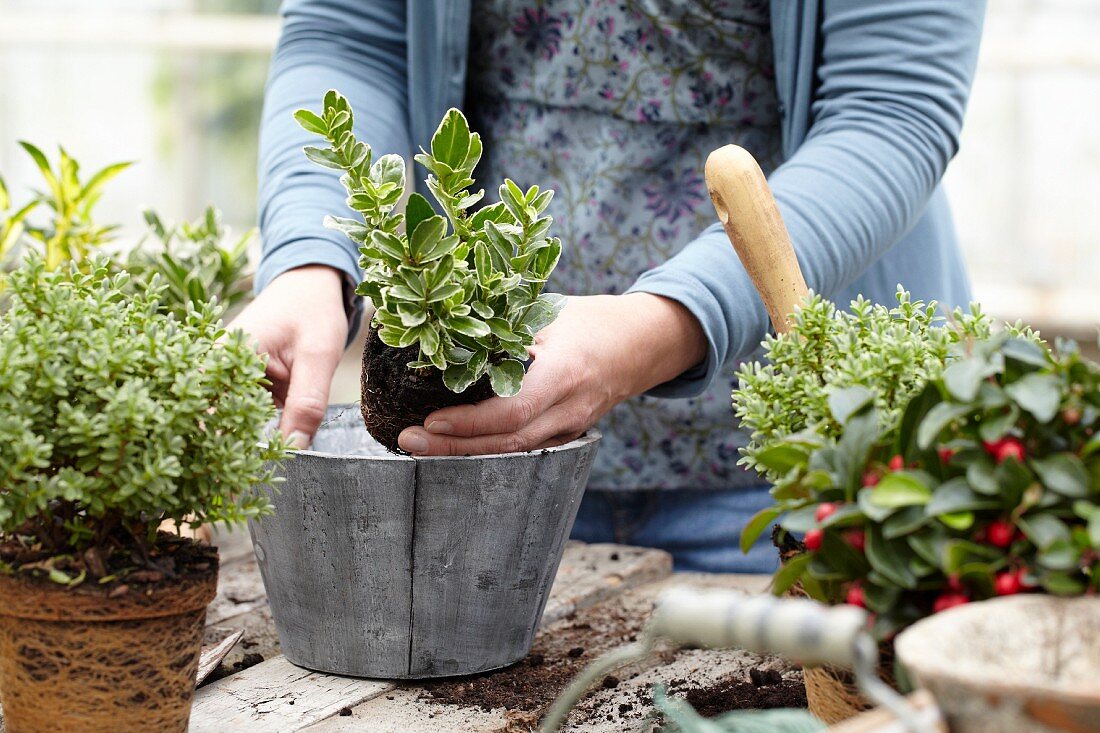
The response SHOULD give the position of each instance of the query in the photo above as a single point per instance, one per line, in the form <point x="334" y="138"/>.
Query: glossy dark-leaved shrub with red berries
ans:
<point x="987" y="485"/>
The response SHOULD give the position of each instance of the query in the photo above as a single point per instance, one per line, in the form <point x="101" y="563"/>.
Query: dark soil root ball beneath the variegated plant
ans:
<point x="395" y="398"/>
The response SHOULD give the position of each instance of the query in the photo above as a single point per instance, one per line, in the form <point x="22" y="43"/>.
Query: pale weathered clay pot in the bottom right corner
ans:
<point x="1021" y="664"/>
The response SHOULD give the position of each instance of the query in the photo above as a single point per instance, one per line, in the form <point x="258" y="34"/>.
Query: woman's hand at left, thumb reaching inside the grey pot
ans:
<point x="300" y="323"/>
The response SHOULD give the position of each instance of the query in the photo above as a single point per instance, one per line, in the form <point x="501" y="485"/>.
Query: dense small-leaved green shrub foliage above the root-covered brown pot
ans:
<point x="115" y="417"/>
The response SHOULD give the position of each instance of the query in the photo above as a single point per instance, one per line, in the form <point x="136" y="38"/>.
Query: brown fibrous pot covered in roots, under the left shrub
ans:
<point x="81" y="662"/>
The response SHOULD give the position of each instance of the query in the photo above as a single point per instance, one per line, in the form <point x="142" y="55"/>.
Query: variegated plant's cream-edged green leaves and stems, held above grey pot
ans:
<point x="467" y="288"/>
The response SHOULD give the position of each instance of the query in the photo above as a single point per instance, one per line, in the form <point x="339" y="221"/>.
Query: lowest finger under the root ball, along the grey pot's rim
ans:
<point x="545" y="430"/>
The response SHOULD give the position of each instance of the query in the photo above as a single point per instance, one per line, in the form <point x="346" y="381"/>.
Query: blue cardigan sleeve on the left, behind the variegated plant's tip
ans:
<point x="359" y="49"/>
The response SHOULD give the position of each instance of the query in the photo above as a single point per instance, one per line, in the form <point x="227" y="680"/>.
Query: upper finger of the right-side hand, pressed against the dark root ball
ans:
<point x="501" y="415"/>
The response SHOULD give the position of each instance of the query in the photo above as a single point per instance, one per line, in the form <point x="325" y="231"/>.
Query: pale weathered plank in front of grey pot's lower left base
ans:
<point x="277" y="697"/>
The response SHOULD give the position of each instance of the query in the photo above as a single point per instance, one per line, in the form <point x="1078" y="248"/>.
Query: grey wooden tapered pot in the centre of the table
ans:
<point x="387" y="566"/>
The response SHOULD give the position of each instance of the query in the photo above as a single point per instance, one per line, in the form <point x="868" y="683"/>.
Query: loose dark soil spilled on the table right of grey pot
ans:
<point x="529" y="688"/>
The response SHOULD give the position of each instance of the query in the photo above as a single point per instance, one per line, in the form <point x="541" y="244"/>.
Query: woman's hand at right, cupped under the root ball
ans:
<point x="601" y="351"/>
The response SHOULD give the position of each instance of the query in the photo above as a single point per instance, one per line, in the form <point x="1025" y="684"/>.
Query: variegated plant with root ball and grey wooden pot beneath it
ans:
<point x="379" y="565"/>
